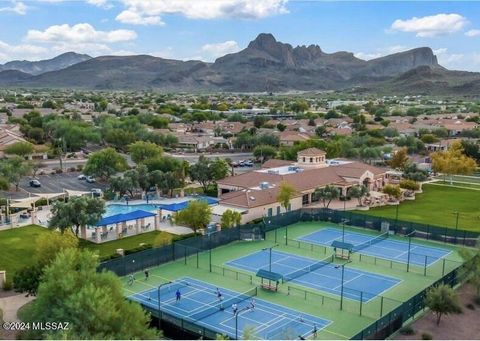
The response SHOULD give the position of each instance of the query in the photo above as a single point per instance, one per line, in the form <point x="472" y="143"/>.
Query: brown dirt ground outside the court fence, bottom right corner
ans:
<point x="464" y="326"/>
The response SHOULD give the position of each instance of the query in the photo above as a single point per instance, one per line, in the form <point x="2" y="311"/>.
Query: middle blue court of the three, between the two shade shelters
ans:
<point x="317" y="275"/>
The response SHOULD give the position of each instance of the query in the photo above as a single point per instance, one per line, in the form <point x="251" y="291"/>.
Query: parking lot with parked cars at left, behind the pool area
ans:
<point x="55" y="183"/>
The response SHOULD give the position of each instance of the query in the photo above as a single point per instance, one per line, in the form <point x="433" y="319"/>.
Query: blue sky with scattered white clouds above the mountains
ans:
<point x="207" y="29"/>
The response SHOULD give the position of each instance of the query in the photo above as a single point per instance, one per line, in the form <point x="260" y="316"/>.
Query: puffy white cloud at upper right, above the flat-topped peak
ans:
<point x="431" y="26"/>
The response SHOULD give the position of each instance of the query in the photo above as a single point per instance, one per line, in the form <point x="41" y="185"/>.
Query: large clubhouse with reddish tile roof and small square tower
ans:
<point x="256" y="191"/>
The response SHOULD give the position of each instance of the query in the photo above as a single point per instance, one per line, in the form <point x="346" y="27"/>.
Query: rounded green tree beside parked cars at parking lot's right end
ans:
<point x="105" y="163"/>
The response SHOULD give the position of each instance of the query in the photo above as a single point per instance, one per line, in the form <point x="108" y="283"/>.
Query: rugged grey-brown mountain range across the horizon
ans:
<point x="264" y="65"/>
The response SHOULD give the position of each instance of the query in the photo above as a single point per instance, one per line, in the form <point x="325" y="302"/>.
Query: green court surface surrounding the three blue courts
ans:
<point x="346" y="323"/>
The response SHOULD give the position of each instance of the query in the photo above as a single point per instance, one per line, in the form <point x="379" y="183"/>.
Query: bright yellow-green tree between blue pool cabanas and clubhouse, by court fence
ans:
<point x="196" y="215"/>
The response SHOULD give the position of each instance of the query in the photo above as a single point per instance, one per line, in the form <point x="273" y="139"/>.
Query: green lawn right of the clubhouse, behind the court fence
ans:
<point x="436" y="206"/>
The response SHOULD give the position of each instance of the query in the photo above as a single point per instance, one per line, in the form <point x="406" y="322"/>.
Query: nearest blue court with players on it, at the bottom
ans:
<point x="200" y="304"/>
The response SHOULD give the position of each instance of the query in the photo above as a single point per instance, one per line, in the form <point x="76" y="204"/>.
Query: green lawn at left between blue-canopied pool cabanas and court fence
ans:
<point x="18" y="245"/>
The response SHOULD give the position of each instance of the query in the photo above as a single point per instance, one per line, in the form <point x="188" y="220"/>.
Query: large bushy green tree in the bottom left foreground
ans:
<point x="93" y="302"/>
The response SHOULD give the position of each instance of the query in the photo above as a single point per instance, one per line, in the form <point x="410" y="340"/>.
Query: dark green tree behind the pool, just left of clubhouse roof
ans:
<point x="207" y="172"/>
